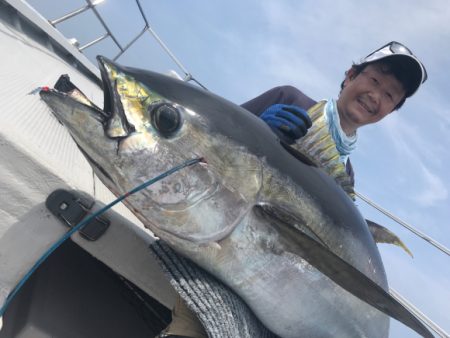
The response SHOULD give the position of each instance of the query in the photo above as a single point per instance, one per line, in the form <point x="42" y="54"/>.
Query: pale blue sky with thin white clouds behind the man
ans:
<point x="241" y="48"/>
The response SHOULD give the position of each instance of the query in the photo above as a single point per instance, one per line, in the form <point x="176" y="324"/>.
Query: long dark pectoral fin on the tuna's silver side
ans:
<point x="338" y="270"/>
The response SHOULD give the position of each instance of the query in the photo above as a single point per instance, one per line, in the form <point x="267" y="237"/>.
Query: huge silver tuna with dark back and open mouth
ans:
<point x="275" y="229"/>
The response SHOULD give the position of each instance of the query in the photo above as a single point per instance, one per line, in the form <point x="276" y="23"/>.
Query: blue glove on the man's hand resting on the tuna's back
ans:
<point x="288" y="122"/>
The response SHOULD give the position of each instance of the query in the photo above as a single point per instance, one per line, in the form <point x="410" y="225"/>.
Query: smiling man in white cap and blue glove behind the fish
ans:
<point x="372" y="89"/>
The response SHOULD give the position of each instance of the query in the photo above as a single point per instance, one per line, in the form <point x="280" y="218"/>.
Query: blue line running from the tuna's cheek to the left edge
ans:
<point x="85" y="221"/>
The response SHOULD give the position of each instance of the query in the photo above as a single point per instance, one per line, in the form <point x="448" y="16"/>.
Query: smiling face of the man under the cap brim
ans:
<point x="368" y="97"/>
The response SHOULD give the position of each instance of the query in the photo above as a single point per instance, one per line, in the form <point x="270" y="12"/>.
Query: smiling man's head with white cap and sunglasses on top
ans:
<point x="386" y="78"/>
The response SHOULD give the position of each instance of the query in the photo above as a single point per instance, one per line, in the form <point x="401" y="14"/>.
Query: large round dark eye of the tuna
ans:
<point x="165" y="118"/>
